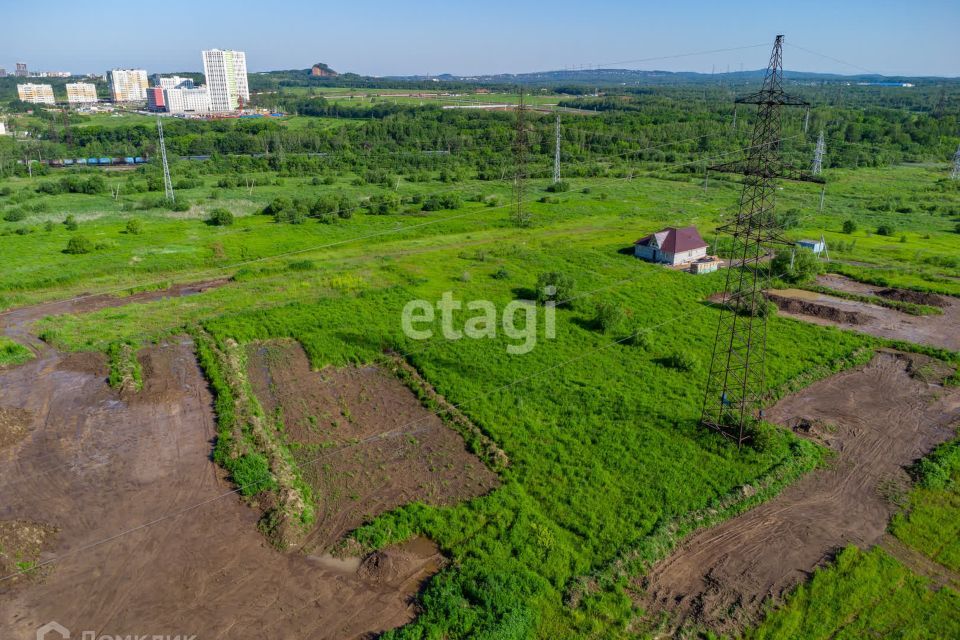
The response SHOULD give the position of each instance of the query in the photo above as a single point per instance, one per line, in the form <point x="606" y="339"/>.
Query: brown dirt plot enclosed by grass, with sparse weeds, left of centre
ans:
<point x="379" y="448"/>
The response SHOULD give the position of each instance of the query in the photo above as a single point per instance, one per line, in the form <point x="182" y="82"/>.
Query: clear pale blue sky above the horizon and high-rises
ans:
<point x="431" y="37"/>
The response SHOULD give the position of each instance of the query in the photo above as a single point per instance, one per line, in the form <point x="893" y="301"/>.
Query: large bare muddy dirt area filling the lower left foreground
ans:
<point x="94" y="465"/>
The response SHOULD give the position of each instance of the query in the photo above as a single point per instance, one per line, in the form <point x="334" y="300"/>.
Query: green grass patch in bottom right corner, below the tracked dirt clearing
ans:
<point x="864" y="595"/>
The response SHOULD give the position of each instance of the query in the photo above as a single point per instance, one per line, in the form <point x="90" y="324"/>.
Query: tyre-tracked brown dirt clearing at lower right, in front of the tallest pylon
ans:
<point x="878" y="419"/>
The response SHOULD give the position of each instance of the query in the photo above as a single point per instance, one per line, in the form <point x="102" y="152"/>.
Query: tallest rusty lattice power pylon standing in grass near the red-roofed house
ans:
<point x="736" y="384"/>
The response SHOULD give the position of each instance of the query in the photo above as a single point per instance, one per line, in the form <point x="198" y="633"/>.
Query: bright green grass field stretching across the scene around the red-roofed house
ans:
<point x="601" y="430"/>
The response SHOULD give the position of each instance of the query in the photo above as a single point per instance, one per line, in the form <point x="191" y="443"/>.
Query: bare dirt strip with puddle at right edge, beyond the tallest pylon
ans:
<point x="941" y="330"/>
